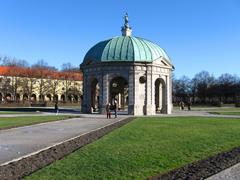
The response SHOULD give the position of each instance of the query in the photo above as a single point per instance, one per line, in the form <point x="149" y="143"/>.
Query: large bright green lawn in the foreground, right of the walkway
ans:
<point x="146" y="147"/>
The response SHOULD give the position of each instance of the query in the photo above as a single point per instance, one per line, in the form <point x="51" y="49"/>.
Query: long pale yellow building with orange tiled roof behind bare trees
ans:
<point x="39" y="85"/>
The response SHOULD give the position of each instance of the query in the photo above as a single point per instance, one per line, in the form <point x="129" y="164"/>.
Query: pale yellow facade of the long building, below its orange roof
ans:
<point x="37" y="89"/>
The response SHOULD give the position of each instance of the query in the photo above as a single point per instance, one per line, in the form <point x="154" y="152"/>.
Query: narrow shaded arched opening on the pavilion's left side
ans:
<point x="95" y="89"/>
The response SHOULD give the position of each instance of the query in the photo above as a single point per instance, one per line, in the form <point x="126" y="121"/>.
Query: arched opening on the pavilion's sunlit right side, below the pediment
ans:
<point x="160" y="95"/>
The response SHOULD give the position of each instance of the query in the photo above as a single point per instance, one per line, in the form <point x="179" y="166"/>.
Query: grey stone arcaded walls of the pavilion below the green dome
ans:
<point x="149" y="85"/>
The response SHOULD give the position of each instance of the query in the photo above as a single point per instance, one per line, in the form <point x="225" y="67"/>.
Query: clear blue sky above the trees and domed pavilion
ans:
<point x="196" y="34"/>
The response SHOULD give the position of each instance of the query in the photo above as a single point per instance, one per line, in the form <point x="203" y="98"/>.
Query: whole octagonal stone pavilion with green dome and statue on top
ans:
<point x="134" y="71"/>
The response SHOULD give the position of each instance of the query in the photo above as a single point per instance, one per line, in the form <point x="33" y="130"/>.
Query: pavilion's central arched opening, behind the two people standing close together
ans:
<point x="119" y="92"/>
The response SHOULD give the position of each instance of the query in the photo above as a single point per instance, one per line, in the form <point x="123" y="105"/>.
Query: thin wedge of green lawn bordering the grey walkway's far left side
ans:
<point x="10" y="122"/>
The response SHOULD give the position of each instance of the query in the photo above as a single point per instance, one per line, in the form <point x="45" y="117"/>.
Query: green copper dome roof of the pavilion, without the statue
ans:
<point x="126" y="49"/>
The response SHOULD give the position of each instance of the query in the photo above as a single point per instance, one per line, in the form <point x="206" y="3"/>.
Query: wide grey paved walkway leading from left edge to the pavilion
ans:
<point x="18" y="142"/>
